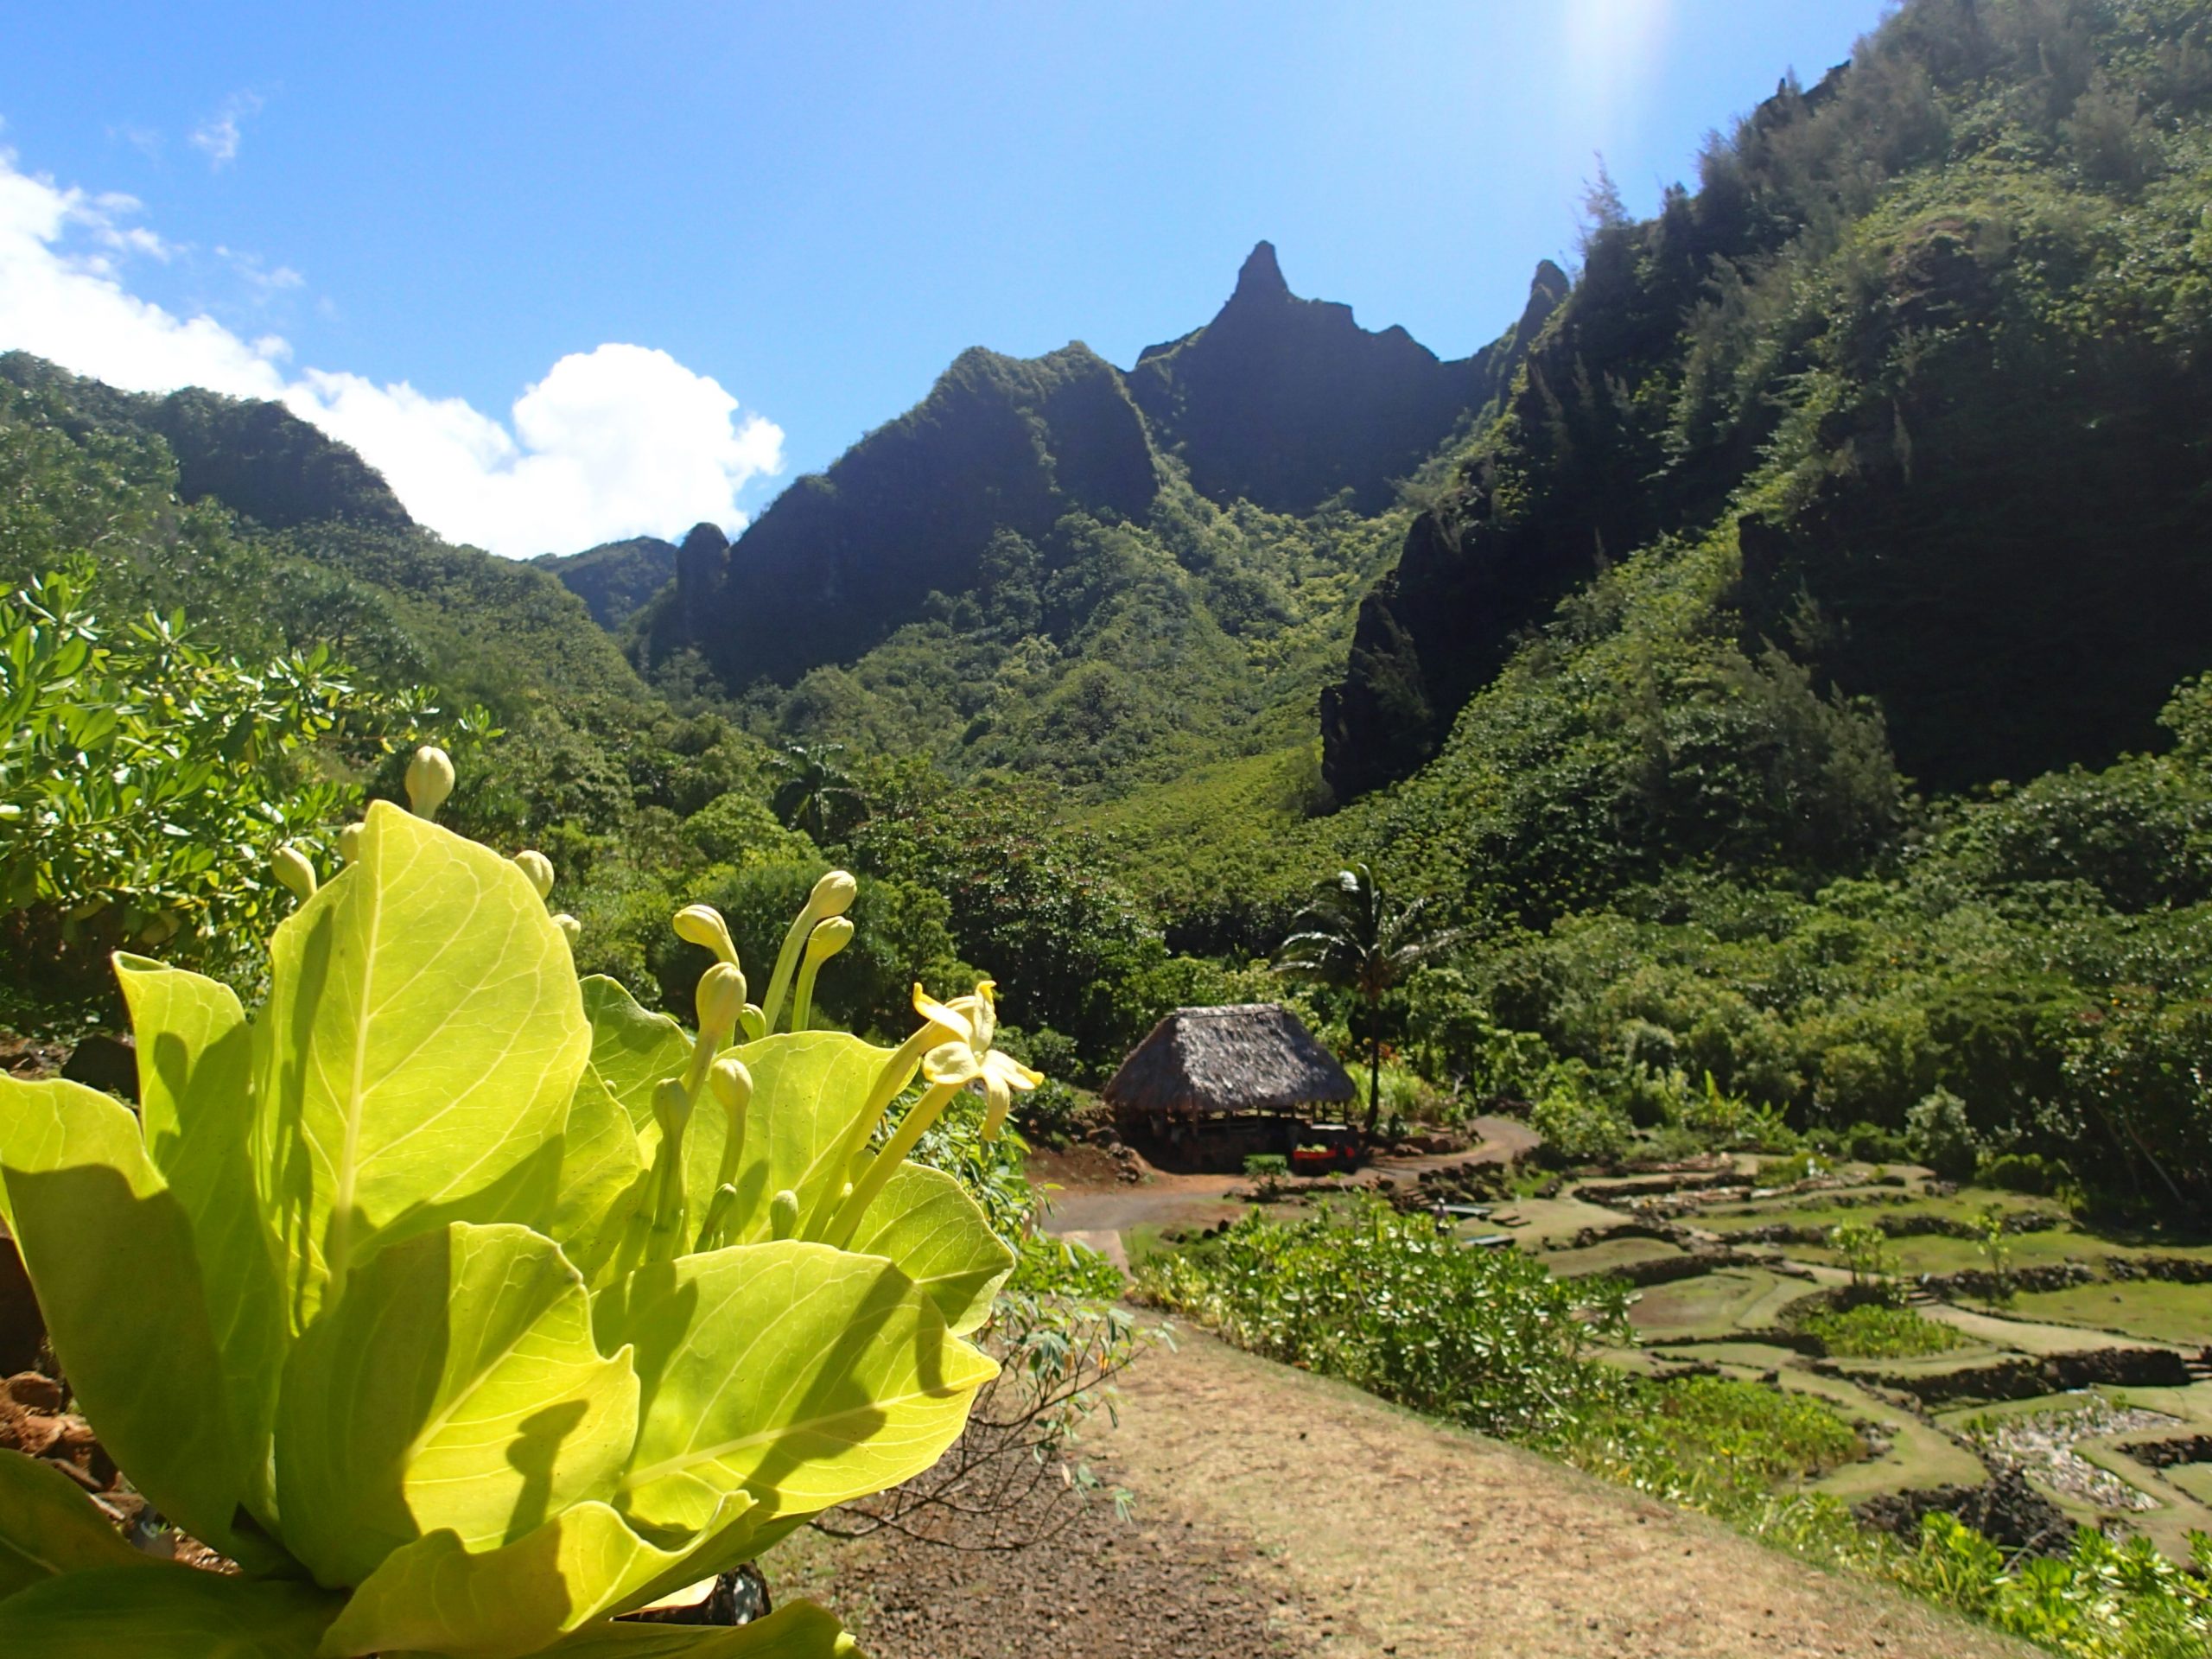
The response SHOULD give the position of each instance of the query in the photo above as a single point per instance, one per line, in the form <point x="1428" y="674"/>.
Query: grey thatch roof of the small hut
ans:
<point x="1253" y="1058"/>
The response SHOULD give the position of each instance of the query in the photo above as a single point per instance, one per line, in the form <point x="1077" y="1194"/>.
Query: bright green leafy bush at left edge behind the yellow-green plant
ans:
<point x="147" y="786"/>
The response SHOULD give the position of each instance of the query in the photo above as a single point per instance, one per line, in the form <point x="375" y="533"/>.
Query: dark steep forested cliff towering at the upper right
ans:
<point x="1928" y="344"/>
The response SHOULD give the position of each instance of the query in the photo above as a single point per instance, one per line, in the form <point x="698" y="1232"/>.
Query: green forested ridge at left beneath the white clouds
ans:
<point x="273" y="539"/>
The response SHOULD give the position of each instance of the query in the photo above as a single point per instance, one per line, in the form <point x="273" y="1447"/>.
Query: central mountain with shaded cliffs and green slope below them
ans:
<point x="1089" y="576"/>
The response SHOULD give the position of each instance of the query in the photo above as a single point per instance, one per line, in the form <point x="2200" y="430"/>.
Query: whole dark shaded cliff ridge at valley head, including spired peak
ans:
<point x="1280" y="401"/>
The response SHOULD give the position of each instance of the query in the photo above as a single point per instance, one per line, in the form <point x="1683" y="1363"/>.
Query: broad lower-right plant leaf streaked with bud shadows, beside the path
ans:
<point x="795" y="1373"/>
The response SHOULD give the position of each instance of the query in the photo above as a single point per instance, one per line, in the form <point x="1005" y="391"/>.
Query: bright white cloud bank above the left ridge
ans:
<point x="609" y="444"/>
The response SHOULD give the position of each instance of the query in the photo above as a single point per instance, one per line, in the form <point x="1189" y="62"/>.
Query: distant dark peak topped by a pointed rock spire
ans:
<point x="1286" y="401"/>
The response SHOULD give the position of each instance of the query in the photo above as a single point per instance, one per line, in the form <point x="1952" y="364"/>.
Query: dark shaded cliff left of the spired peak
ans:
<point x="844" y="559"/>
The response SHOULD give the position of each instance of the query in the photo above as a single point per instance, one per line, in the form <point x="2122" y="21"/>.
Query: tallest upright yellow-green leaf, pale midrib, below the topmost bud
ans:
<point x="417" y="1054"/>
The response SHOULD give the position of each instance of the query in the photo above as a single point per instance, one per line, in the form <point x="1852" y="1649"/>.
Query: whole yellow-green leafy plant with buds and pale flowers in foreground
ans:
<point x="468" y="1306"/>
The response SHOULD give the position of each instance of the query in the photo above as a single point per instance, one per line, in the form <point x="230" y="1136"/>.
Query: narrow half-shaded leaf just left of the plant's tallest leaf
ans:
<point x="198" y="1112"/>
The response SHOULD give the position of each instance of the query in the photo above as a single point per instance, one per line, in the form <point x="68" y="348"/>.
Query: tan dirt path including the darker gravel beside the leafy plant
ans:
<point x="1282" y="1514"/>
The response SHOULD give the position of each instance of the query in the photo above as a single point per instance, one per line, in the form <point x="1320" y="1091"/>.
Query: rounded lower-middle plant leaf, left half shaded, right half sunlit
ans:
<point x="457" y="1386"/>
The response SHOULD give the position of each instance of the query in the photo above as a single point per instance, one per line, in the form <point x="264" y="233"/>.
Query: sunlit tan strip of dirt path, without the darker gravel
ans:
<point x="1434" y="1543"/>
